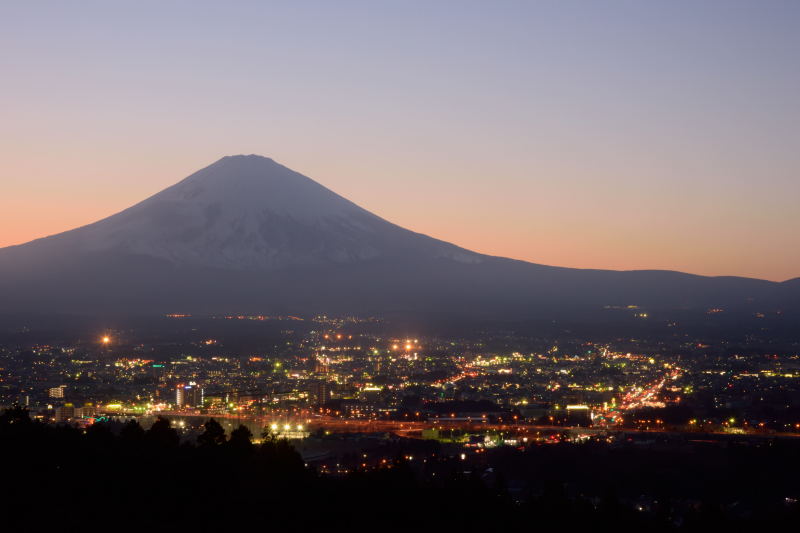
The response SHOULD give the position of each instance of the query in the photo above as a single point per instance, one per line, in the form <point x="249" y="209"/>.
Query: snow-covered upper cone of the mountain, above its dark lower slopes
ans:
<point x="249" y="212"/>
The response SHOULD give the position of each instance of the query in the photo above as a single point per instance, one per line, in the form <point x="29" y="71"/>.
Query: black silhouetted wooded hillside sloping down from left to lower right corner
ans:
<point x="130" y="479"/>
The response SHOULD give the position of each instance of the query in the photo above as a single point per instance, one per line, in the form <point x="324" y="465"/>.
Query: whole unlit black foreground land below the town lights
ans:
<point x="119" y="477"/>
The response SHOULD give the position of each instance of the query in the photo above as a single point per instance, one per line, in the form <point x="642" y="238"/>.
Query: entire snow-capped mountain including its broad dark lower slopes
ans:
<point x="247" y="234"/>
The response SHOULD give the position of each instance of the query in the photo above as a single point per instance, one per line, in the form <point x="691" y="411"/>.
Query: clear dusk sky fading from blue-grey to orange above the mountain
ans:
<point x="626" y="134"/>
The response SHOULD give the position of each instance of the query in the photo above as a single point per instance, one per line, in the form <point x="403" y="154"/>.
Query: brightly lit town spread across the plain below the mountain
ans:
<point x="321" y="377"/>
